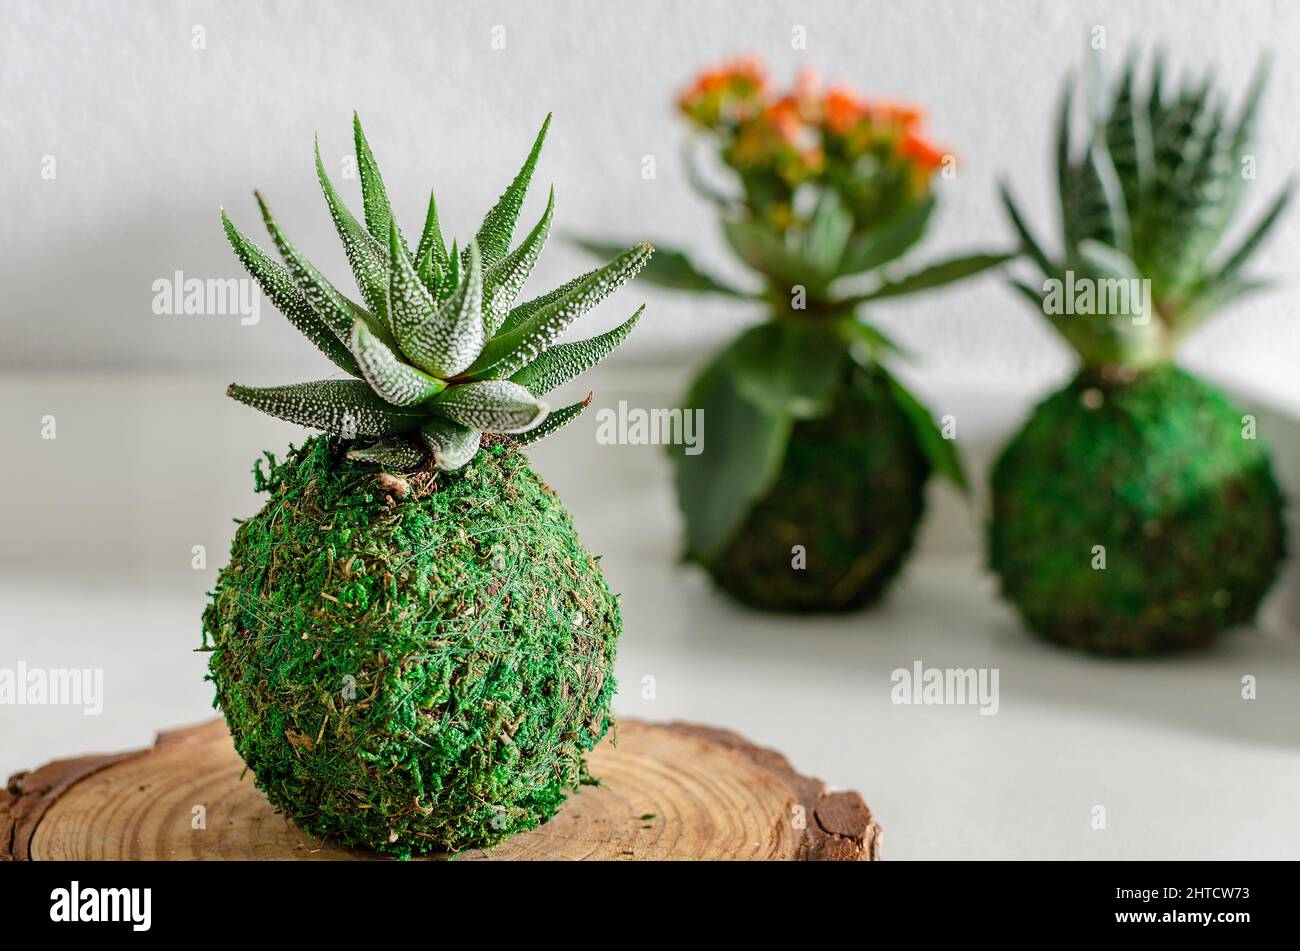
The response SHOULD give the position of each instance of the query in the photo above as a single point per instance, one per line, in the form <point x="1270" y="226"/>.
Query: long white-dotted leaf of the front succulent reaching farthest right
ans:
<point x="509" y="353"/>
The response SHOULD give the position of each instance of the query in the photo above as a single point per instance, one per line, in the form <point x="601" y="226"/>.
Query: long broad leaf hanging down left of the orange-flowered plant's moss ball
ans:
<point x="743" y="450"/>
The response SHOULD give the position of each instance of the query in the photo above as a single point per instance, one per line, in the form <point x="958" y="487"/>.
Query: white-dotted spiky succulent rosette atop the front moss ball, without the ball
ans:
<point x="440" y="351"/>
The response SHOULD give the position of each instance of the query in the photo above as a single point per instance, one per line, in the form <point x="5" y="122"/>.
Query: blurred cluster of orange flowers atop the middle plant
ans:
<point x="808" y="133"/>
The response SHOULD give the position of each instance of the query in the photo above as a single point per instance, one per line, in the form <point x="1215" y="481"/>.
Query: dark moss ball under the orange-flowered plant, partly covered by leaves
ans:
<point x="851" y="496"/>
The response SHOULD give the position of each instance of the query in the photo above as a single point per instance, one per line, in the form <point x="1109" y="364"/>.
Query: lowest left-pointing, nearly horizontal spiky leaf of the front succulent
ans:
<point x="346" y="409"/>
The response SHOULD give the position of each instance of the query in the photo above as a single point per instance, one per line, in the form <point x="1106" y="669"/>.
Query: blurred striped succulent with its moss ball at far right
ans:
<point x="1137" y="510"/>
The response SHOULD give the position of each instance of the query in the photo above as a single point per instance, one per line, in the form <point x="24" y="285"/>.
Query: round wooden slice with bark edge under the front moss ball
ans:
<point x="669" y="792"/>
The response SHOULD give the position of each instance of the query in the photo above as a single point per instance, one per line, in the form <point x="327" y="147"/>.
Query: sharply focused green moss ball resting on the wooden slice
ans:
<point x="418" y="674"/>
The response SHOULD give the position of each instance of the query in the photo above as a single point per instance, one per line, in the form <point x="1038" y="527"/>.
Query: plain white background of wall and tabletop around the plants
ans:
<point x="151" y="137"/>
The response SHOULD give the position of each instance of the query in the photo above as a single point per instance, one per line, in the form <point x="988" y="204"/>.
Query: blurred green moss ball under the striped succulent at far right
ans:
<point x="1159" y="475"/>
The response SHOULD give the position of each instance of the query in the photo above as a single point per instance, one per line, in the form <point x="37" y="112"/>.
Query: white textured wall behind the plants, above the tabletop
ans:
<point x="151" y="137"/>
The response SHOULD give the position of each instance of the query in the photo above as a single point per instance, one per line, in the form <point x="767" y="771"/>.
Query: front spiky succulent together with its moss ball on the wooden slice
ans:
<point x="418" y="661"/>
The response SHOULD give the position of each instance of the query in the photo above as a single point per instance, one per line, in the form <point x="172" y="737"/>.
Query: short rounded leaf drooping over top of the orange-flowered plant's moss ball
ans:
<point x="788" y="368"/>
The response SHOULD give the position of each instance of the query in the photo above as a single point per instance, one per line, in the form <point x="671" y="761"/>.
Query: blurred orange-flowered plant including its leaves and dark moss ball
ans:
<point x="814" y="446"/>
